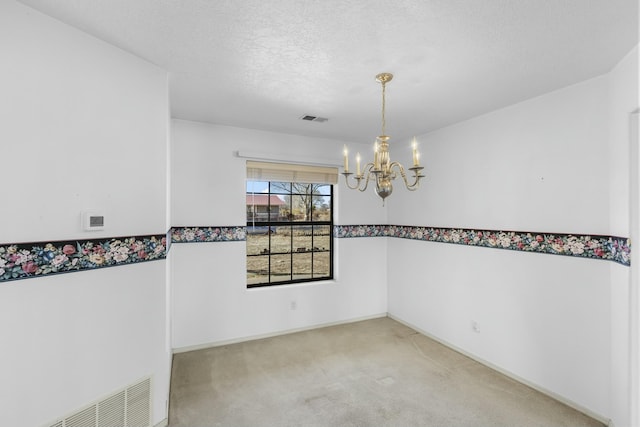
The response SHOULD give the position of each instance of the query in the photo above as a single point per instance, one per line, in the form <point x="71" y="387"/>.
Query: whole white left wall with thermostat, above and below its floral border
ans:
<point x="84" y="126"/>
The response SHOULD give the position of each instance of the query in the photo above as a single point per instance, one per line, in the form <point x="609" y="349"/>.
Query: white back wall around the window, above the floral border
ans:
<point x="209" y="180"/>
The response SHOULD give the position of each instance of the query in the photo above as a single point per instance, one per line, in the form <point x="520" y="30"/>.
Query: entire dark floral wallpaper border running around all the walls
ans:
<point x="38" y="259"/>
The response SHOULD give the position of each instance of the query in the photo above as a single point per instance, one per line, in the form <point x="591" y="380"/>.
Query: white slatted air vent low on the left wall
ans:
<point x="130" y="407"/>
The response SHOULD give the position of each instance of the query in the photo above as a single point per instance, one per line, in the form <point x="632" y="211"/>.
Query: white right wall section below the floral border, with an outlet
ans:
<point x="542" y="318"/>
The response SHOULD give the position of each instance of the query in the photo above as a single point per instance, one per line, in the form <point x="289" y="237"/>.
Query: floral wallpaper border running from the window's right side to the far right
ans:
<point x="611" y="248"/>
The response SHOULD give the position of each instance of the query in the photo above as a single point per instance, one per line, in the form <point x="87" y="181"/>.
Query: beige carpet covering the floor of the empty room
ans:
<point x="372" y="373"/>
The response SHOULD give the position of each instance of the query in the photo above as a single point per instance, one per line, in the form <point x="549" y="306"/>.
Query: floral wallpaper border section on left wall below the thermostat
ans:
<point x="37" y="259"/>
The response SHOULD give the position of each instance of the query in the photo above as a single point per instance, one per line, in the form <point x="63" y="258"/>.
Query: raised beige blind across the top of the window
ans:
<point x="284" y="172"/>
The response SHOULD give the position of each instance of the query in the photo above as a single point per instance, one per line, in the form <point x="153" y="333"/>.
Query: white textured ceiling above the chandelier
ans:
<point x="263" y="64"/>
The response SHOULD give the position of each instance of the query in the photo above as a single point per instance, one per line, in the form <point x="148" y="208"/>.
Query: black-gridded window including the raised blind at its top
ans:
<point x="289" y="225"/>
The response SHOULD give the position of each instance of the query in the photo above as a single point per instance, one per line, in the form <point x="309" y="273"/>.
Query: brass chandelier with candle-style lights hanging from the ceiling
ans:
<point x="382" y="170"/>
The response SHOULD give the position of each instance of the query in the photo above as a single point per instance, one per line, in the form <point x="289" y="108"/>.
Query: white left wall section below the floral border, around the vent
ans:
<point x="73" y="339"/>
